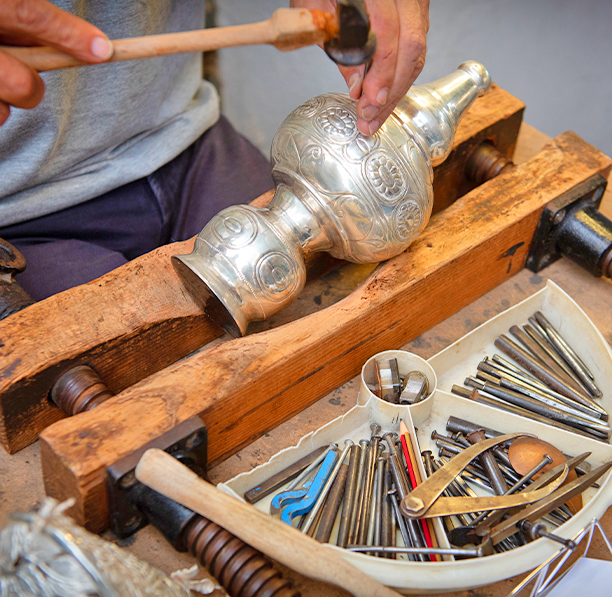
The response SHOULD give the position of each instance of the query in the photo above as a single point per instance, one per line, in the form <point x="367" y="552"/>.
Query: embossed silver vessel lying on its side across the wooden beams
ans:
<point x="362" y="199"/>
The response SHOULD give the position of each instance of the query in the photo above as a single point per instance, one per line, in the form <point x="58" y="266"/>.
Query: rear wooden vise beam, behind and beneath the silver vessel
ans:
<point x="138" y="319"/>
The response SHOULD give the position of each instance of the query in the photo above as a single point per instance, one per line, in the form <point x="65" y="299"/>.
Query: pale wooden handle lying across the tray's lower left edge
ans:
<point x="287" y="545"/>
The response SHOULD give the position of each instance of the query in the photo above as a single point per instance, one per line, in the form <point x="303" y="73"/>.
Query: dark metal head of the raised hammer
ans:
<point x="355" y="43"/>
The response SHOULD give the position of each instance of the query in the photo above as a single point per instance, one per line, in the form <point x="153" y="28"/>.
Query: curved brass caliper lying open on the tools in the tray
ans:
<point x="425" y="501"/>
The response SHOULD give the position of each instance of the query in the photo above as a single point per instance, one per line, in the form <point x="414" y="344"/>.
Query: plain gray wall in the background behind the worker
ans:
<point x="555" y="55"/>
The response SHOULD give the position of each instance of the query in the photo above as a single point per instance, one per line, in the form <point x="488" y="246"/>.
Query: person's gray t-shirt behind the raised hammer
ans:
<point x="99" y="127"/>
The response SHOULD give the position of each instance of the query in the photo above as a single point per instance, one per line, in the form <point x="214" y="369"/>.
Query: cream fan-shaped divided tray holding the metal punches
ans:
<point x="443" y="370"/>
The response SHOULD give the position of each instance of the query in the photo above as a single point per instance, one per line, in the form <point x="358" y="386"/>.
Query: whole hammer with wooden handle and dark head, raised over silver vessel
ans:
<point x="345" y="35"/>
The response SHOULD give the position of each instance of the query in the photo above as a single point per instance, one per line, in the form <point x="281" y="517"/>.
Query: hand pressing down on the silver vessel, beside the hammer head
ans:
<point x="401" y="33"/>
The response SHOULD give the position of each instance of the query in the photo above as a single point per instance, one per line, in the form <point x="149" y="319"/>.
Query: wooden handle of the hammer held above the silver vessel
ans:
<point x="286" y="29"/>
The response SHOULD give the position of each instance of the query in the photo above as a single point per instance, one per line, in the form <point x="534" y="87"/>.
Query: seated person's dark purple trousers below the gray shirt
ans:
<point x="81" y="243"/>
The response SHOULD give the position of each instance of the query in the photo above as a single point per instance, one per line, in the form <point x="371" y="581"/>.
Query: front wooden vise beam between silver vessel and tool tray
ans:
<point x="244" y="387"/>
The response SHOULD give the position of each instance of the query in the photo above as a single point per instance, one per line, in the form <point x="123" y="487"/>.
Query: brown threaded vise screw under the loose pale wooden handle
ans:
<point x="241" y="570"/>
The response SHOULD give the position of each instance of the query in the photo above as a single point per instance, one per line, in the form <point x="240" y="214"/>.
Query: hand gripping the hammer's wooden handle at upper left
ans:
<point x="38" y="22"/>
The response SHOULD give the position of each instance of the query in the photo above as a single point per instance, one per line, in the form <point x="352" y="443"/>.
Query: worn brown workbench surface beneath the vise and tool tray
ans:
<point x="20" y="476"/>
